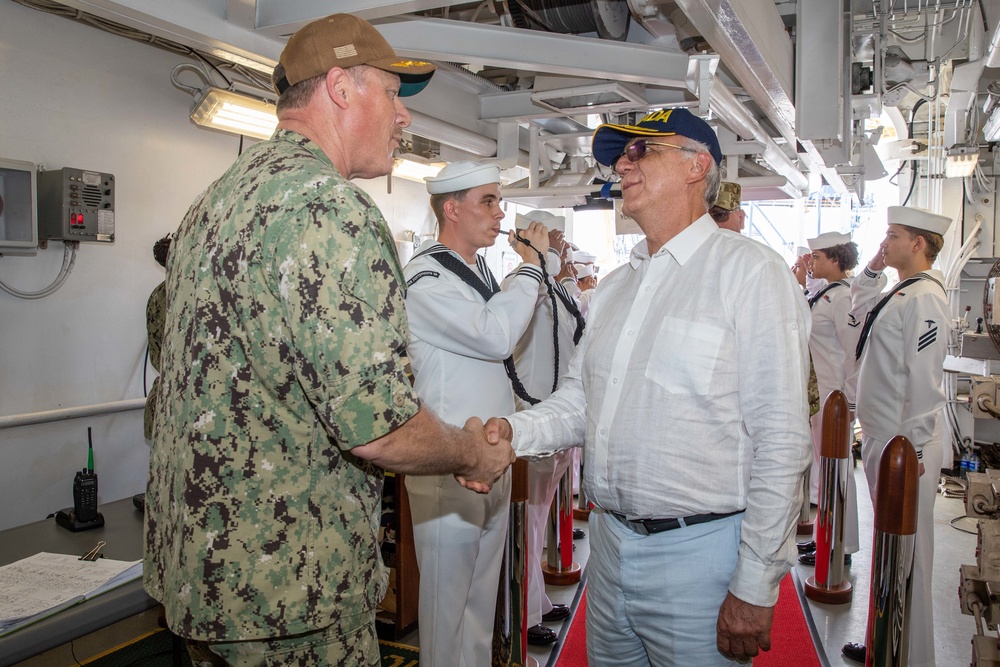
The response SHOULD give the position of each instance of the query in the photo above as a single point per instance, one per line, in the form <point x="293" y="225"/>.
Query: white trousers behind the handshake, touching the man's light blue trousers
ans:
<point x="543" y="481"/>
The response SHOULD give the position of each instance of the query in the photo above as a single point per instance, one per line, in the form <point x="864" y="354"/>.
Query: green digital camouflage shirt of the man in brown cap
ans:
<point x="282" y="351"/>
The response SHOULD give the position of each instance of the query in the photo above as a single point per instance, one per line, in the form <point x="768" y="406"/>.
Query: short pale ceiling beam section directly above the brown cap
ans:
<point x="279" y="18"/>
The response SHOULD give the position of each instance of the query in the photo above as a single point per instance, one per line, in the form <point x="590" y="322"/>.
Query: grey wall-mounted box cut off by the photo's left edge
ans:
<point x="18" y="230"/>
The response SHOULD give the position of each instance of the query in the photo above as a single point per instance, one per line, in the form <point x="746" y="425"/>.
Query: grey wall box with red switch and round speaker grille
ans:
<point x="76" y="205"/>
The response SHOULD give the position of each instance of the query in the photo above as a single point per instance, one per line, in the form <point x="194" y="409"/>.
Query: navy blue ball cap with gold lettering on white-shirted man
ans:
<point x="609" y="140"/>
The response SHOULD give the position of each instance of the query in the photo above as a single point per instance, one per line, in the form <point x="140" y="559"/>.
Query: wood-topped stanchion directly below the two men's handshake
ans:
<point x="510" y="630"/>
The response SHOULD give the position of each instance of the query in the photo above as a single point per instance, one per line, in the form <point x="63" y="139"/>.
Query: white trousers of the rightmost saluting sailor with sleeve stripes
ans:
<point x="921" y="653"/>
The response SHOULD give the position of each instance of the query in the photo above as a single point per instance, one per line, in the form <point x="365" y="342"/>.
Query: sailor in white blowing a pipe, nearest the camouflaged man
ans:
<point x="462" y="329"/>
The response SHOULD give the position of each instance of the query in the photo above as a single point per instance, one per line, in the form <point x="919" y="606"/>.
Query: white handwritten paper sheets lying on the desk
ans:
<point x="39" y="585"/>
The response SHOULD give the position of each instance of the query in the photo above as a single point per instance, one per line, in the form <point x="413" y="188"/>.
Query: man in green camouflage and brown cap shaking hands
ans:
<point x="283" y="394"/>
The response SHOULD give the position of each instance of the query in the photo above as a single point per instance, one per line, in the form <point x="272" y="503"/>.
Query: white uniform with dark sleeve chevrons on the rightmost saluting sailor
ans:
<point x="899" y="393"/>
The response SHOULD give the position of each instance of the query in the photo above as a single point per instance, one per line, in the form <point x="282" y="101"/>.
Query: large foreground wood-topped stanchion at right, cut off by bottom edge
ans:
<point x="887" y="639"/>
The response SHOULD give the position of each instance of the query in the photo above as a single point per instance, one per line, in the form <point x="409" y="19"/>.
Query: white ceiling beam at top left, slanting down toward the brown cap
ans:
<point x="194" y="23"/>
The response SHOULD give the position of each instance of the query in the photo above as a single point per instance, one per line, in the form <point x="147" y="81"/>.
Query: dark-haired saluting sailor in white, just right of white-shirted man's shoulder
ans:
<point x="832" y="346"/>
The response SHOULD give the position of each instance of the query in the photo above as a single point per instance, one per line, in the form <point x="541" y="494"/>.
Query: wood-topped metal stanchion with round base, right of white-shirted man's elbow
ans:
<point x="828" y="585"/>
